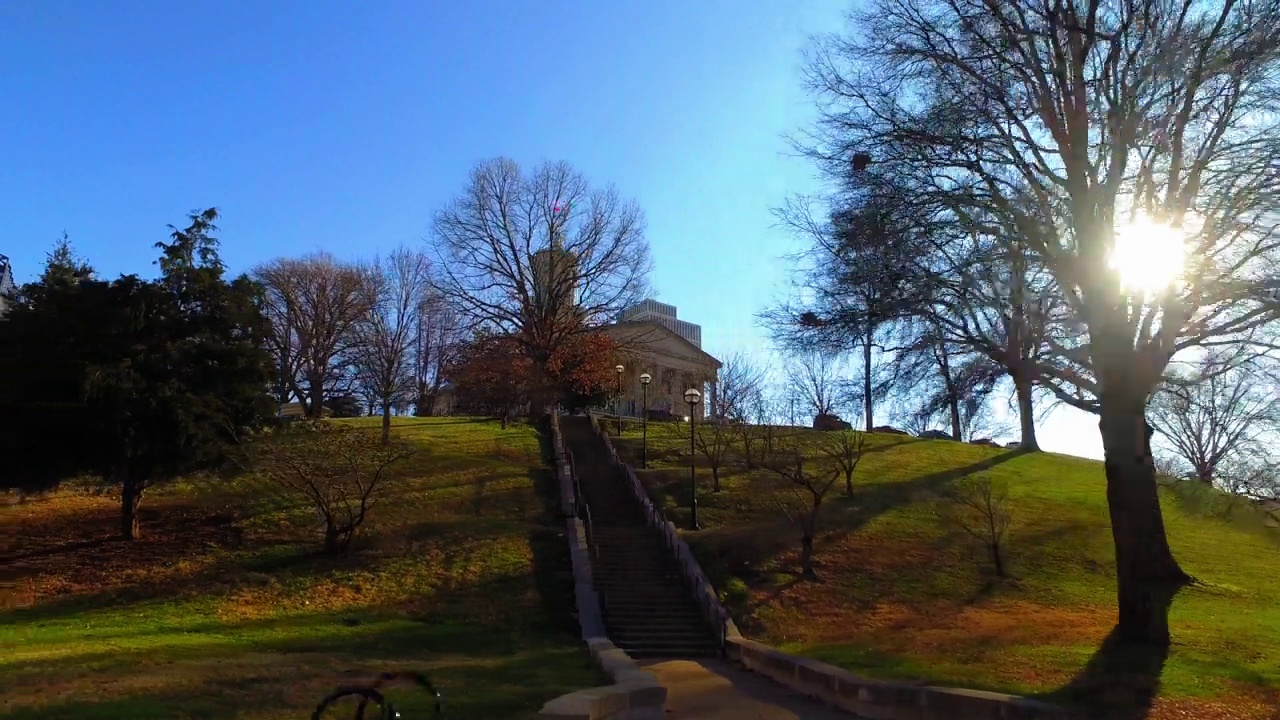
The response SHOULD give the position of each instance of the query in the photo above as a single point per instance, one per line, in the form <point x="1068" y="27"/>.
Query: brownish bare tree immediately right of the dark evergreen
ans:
<point x="314" y="306"/>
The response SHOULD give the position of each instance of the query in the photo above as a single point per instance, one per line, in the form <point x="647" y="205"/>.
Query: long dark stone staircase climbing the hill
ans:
<point x="648" y="608"/>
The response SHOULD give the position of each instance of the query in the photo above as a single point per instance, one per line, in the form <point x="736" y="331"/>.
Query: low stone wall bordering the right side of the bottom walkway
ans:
<point x="877" y="700"/>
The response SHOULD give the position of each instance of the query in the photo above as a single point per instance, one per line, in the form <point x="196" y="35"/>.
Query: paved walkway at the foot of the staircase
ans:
<point x="714" y="690"/>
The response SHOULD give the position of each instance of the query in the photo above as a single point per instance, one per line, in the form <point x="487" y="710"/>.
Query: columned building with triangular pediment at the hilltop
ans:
<point x="653" y="340"/>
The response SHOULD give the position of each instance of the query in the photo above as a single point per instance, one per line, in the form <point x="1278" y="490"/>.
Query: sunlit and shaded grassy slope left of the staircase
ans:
<point x="225" y="609"/>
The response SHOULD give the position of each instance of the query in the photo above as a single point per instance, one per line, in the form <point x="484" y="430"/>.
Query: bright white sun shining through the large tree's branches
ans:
<point x="1149" y="256"/>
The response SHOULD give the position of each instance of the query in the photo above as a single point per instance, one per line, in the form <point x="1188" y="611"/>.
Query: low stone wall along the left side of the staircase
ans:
<point x="634" y="695"/>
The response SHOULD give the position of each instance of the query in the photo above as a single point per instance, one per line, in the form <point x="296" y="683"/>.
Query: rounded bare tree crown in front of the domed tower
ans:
<point x="540" y="257"/>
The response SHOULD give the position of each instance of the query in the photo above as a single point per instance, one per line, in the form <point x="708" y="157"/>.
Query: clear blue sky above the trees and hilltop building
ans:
<point x="344" y="126"/>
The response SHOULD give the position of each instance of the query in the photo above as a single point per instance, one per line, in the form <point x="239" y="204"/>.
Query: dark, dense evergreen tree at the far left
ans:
<point x="152" y="379"/>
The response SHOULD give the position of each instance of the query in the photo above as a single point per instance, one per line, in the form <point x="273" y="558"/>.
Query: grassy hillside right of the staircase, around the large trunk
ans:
<point x="903" y="598"/>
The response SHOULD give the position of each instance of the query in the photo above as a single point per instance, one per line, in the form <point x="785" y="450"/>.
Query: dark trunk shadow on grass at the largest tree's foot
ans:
<point x="1122" y="681"/>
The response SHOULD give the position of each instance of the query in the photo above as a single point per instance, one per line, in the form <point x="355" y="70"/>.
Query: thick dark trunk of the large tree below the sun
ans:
<point x="1146" y="571"/>
